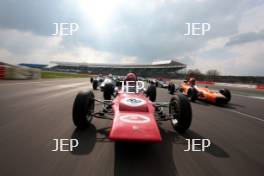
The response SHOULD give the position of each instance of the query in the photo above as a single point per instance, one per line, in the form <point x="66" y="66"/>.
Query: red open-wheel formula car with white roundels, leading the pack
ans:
<point x="134" y="115"/>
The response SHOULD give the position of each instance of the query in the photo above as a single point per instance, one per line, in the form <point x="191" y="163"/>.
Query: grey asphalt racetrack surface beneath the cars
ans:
<point x="33" y="113"/>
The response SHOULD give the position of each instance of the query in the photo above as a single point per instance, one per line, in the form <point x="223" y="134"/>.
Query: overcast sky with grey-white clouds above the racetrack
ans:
<point x="136" y="31"/>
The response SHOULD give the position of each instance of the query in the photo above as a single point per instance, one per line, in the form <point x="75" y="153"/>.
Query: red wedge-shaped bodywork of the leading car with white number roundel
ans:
<point x="134" y="119"/>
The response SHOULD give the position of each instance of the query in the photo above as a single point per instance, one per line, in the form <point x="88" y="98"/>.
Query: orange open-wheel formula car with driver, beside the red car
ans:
<point x="194" y="93"/>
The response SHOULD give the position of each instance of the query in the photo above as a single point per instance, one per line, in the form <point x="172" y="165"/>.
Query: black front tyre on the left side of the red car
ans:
<point x="83" y="108"/>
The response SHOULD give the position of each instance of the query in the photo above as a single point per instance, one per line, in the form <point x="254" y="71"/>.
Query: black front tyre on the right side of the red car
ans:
<point x="181" y="111"/>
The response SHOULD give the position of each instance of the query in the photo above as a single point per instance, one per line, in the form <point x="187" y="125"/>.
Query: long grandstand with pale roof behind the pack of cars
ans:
<point x="167" y="68"/>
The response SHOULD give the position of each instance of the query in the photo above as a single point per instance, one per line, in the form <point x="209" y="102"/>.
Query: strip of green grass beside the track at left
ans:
<point x="52" y="74"/>
